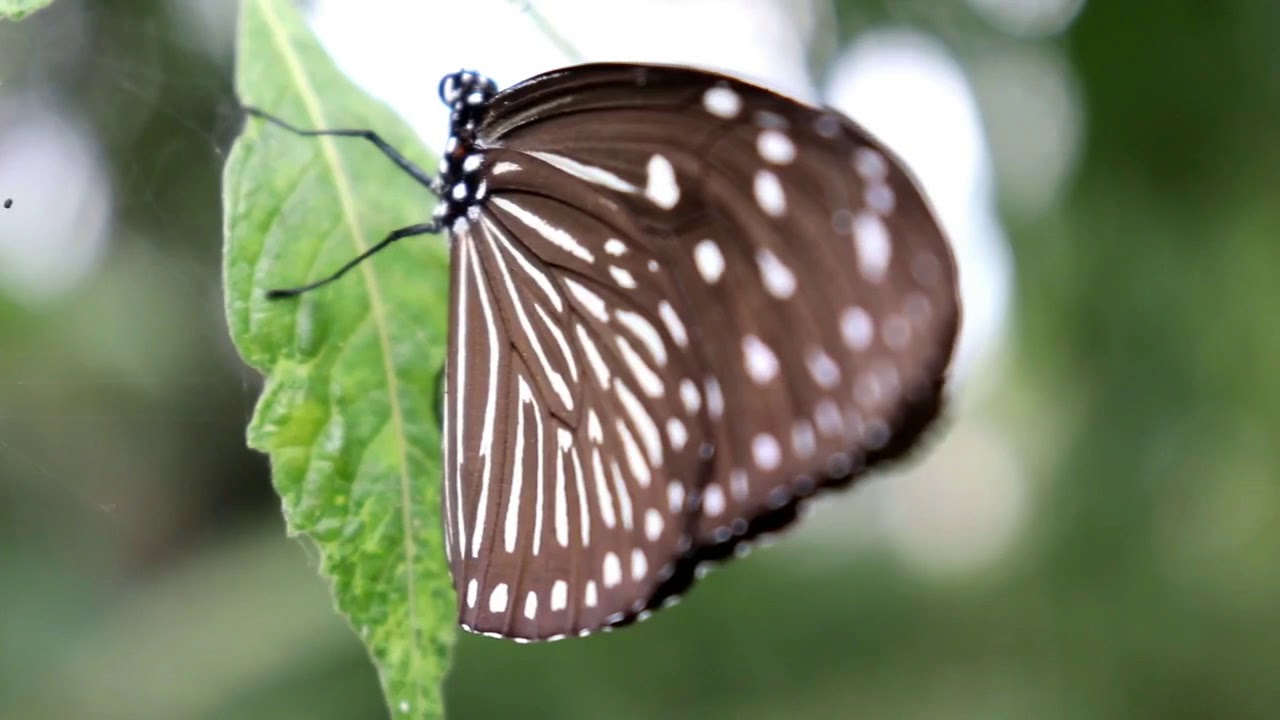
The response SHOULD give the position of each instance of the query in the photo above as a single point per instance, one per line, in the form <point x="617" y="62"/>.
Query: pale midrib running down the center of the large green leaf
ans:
<point x="377" y="307"/>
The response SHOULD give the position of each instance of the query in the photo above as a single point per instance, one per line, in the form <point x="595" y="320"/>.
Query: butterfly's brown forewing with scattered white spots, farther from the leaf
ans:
<point x="816" y="288"/>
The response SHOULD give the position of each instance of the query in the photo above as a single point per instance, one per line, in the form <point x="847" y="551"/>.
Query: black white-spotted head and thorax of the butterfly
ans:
<point x="463" y="186"/>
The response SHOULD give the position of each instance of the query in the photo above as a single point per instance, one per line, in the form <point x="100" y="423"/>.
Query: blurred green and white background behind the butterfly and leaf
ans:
<point x="1095" y="532"/>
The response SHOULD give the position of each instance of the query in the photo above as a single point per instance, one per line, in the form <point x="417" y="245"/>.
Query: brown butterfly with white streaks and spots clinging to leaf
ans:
<point x="680" y="306"/>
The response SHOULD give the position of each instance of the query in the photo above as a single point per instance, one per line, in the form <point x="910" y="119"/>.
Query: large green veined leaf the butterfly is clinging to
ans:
<point x="349" y="414"/>
